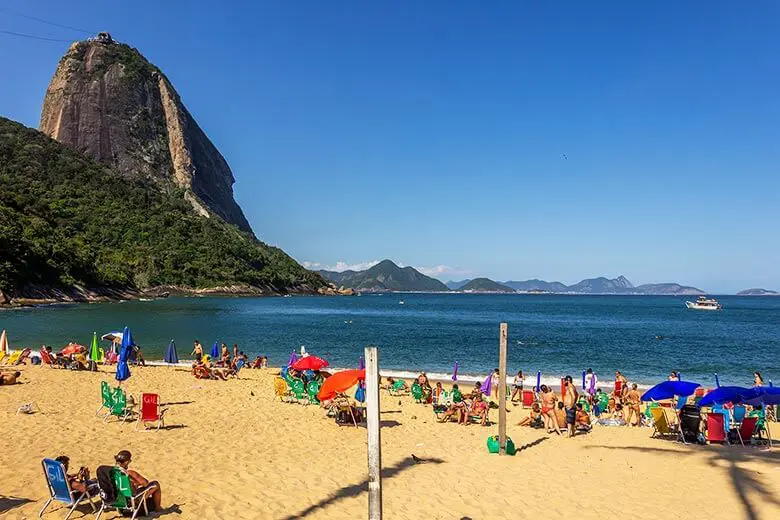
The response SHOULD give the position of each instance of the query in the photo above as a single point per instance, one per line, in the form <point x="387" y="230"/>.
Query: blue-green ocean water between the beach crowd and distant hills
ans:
<point x="644" y="336"/>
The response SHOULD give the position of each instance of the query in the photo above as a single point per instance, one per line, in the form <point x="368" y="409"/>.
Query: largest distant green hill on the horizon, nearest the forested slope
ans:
<point x="385" y="276"/>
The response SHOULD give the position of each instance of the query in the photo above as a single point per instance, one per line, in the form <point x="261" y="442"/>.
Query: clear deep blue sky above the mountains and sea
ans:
<point x="559" y="141"/>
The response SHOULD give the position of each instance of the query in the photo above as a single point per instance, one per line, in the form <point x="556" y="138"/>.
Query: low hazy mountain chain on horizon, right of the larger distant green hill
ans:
<point x="601" y="285"/>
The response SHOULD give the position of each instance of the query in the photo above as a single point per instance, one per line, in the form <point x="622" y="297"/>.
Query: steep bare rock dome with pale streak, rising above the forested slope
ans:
<point x="107" y="101"/>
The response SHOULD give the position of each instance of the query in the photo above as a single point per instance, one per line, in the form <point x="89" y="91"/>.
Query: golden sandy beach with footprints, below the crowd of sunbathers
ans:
<point x="231" y="451"/>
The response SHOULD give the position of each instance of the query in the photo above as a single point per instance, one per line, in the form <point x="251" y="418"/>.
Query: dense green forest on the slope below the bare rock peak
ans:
<point x="66" y="220"/>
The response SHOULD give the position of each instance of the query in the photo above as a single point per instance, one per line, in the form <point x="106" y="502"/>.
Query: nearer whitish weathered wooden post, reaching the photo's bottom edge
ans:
<point x="374" y="440"/>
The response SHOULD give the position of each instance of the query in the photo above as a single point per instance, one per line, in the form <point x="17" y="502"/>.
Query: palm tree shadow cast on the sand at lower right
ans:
<point x="743" y="480"/>
